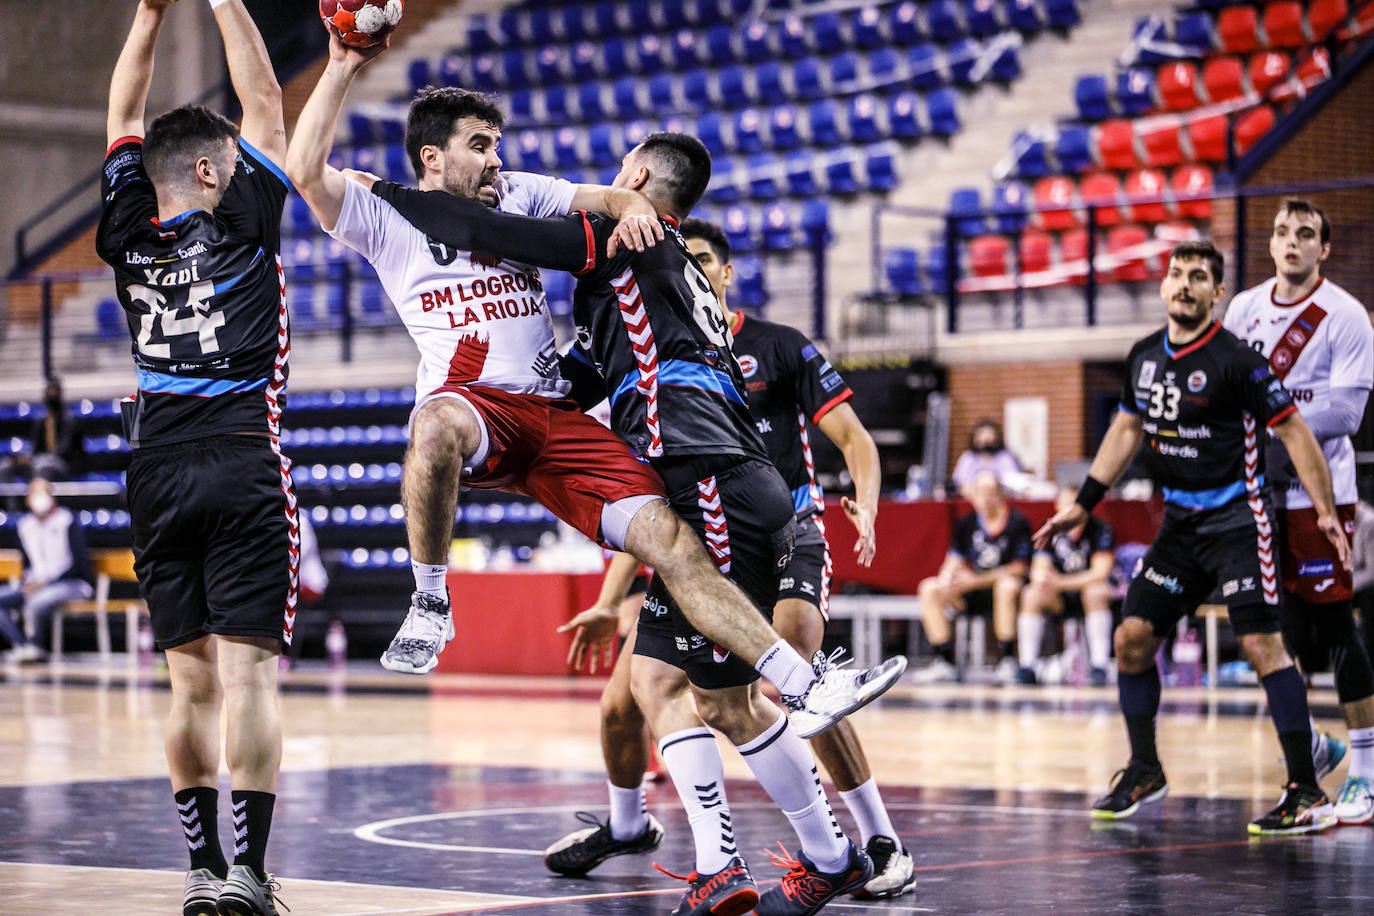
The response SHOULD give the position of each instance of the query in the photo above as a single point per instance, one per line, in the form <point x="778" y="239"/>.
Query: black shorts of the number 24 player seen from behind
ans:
<point x="215" y="539"/>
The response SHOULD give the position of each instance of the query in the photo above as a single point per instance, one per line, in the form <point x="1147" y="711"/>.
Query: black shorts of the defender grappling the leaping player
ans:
<point x="744" y="513"/>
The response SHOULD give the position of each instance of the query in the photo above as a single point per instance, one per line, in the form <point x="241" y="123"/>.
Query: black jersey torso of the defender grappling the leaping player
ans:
<point x="652" y="328"/>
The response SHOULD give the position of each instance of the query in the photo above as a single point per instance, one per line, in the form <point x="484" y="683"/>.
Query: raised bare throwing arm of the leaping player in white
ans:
<point x="307" y="157"/>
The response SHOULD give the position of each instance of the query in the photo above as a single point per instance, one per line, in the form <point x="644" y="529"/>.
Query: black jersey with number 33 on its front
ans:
<point x="1203" y="409"/>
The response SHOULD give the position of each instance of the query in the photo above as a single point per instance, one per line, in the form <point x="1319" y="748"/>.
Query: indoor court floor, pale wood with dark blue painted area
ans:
<point x="436" y="796"/>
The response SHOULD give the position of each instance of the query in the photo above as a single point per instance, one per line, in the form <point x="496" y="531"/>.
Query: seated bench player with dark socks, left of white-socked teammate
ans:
<point x="984" y="571"/>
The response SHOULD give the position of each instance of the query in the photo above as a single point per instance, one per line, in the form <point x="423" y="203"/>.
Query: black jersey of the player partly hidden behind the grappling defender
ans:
<point x="789" y="384"/>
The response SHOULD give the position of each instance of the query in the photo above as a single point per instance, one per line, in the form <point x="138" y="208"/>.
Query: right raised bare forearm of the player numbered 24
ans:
<point x="255" y="82"/>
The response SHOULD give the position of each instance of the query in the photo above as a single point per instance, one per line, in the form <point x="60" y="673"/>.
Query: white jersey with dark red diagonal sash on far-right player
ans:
<point x="1318" y="344"/>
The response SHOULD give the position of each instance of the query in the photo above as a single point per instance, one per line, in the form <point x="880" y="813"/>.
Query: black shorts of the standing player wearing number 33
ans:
<point x="1228" y="549"/>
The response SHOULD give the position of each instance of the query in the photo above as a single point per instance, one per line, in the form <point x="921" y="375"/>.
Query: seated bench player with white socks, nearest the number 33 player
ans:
<point x="1070" y="577"/>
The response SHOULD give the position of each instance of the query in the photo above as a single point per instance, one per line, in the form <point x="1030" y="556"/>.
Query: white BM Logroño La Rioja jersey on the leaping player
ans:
<point x="476" y="319"/>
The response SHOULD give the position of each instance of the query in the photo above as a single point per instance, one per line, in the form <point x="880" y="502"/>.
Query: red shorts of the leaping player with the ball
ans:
<point x="557" y="455"/>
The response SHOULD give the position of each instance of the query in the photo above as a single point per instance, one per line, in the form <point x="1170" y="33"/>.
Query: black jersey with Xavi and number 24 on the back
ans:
<point x="204" y="299"/>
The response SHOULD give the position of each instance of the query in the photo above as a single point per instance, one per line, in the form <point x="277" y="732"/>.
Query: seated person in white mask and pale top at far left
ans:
<point x="57" y="569"/>
